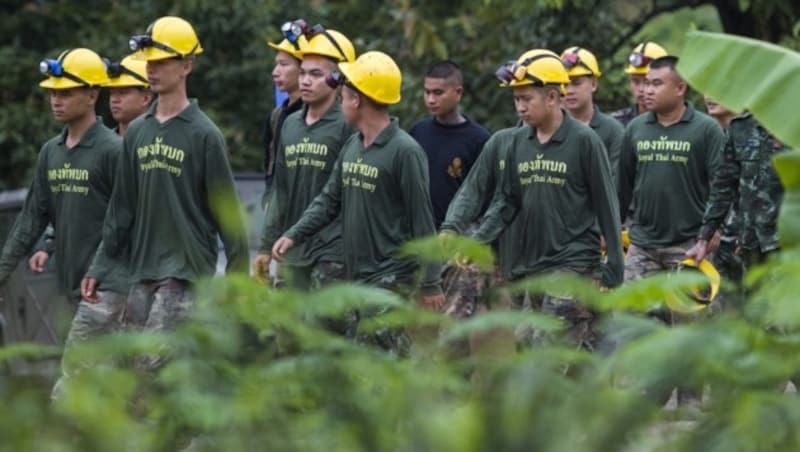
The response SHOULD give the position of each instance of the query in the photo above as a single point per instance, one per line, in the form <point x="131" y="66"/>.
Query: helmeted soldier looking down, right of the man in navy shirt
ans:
<point x="557" y="182"/>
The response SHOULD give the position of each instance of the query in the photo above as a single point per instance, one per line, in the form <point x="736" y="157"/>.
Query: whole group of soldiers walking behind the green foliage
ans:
<point x="136" y="211"/>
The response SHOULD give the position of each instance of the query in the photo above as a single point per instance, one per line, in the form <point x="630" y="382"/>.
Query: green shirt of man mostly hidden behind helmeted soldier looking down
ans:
<point x="475" y="195"/>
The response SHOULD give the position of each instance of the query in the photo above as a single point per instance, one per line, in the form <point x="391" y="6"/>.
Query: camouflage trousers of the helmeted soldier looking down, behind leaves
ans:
<point x="578" y="320"/>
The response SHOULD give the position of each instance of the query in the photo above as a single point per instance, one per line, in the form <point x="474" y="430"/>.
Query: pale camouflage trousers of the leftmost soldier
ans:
<point x="90" y="321"/>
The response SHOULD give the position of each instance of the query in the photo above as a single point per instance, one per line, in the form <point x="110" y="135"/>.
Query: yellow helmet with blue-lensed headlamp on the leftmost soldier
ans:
<point x="72" y="69"/>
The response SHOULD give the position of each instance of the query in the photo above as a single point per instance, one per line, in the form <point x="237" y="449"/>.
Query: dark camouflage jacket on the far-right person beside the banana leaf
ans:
<point x="748" y="178"/>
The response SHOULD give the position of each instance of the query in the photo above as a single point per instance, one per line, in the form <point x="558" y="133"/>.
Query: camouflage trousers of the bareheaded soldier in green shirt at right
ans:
<point x="640" y="262"/>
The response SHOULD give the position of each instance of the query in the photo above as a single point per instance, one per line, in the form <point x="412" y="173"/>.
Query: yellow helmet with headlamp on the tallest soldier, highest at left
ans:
<point x="167" y="37"/>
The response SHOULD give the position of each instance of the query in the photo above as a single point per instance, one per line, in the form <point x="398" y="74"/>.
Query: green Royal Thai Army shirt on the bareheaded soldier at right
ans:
<point x="667" y="172"/>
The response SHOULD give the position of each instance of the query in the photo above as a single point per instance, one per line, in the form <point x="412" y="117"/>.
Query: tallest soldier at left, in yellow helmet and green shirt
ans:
<point x="173" y="185"/>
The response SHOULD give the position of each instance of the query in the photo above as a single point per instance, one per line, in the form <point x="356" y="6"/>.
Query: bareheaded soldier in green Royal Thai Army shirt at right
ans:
<point x="669" y="157"/>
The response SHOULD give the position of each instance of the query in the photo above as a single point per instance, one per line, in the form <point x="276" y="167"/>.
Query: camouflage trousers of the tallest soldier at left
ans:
<point x="156" y="306"/>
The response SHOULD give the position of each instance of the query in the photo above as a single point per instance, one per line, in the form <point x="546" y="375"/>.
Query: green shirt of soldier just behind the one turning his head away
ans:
<point x="305" y="159"/>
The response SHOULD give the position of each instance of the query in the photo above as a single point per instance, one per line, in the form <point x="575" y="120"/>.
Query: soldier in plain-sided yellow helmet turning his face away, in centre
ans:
<point x="380" y="187"/>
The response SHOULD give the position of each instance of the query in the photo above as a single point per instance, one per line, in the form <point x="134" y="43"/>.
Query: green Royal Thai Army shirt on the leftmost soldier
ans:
<point x="70" y="189"/>
